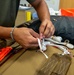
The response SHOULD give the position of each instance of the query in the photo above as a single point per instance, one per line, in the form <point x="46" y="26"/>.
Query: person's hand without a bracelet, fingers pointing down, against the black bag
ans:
<point x="46" y="29"/>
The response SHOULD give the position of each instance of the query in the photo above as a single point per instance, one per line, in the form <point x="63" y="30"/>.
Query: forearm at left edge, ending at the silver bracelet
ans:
<point x="5" y="32"/>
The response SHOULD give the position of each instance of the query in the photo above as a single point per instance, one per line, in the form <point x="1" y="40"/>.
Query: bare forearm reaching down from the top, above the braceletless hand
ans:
<point x="42" y="10"/>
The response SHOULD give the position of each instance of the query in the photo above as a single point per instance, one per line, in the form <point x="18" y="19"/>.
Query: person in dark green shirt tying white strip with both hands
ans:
<point x="26" y="37"/>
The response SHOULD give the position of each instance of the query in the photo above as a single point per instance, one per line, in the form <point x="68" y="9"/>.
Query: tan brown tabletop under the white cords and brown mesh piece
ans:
<point x="29" y="62"/>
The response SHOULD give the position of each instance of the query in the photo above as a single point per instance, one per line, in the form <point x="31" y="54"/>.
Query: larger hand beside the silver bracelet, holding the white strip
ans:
<point x="26" y="37"/>
